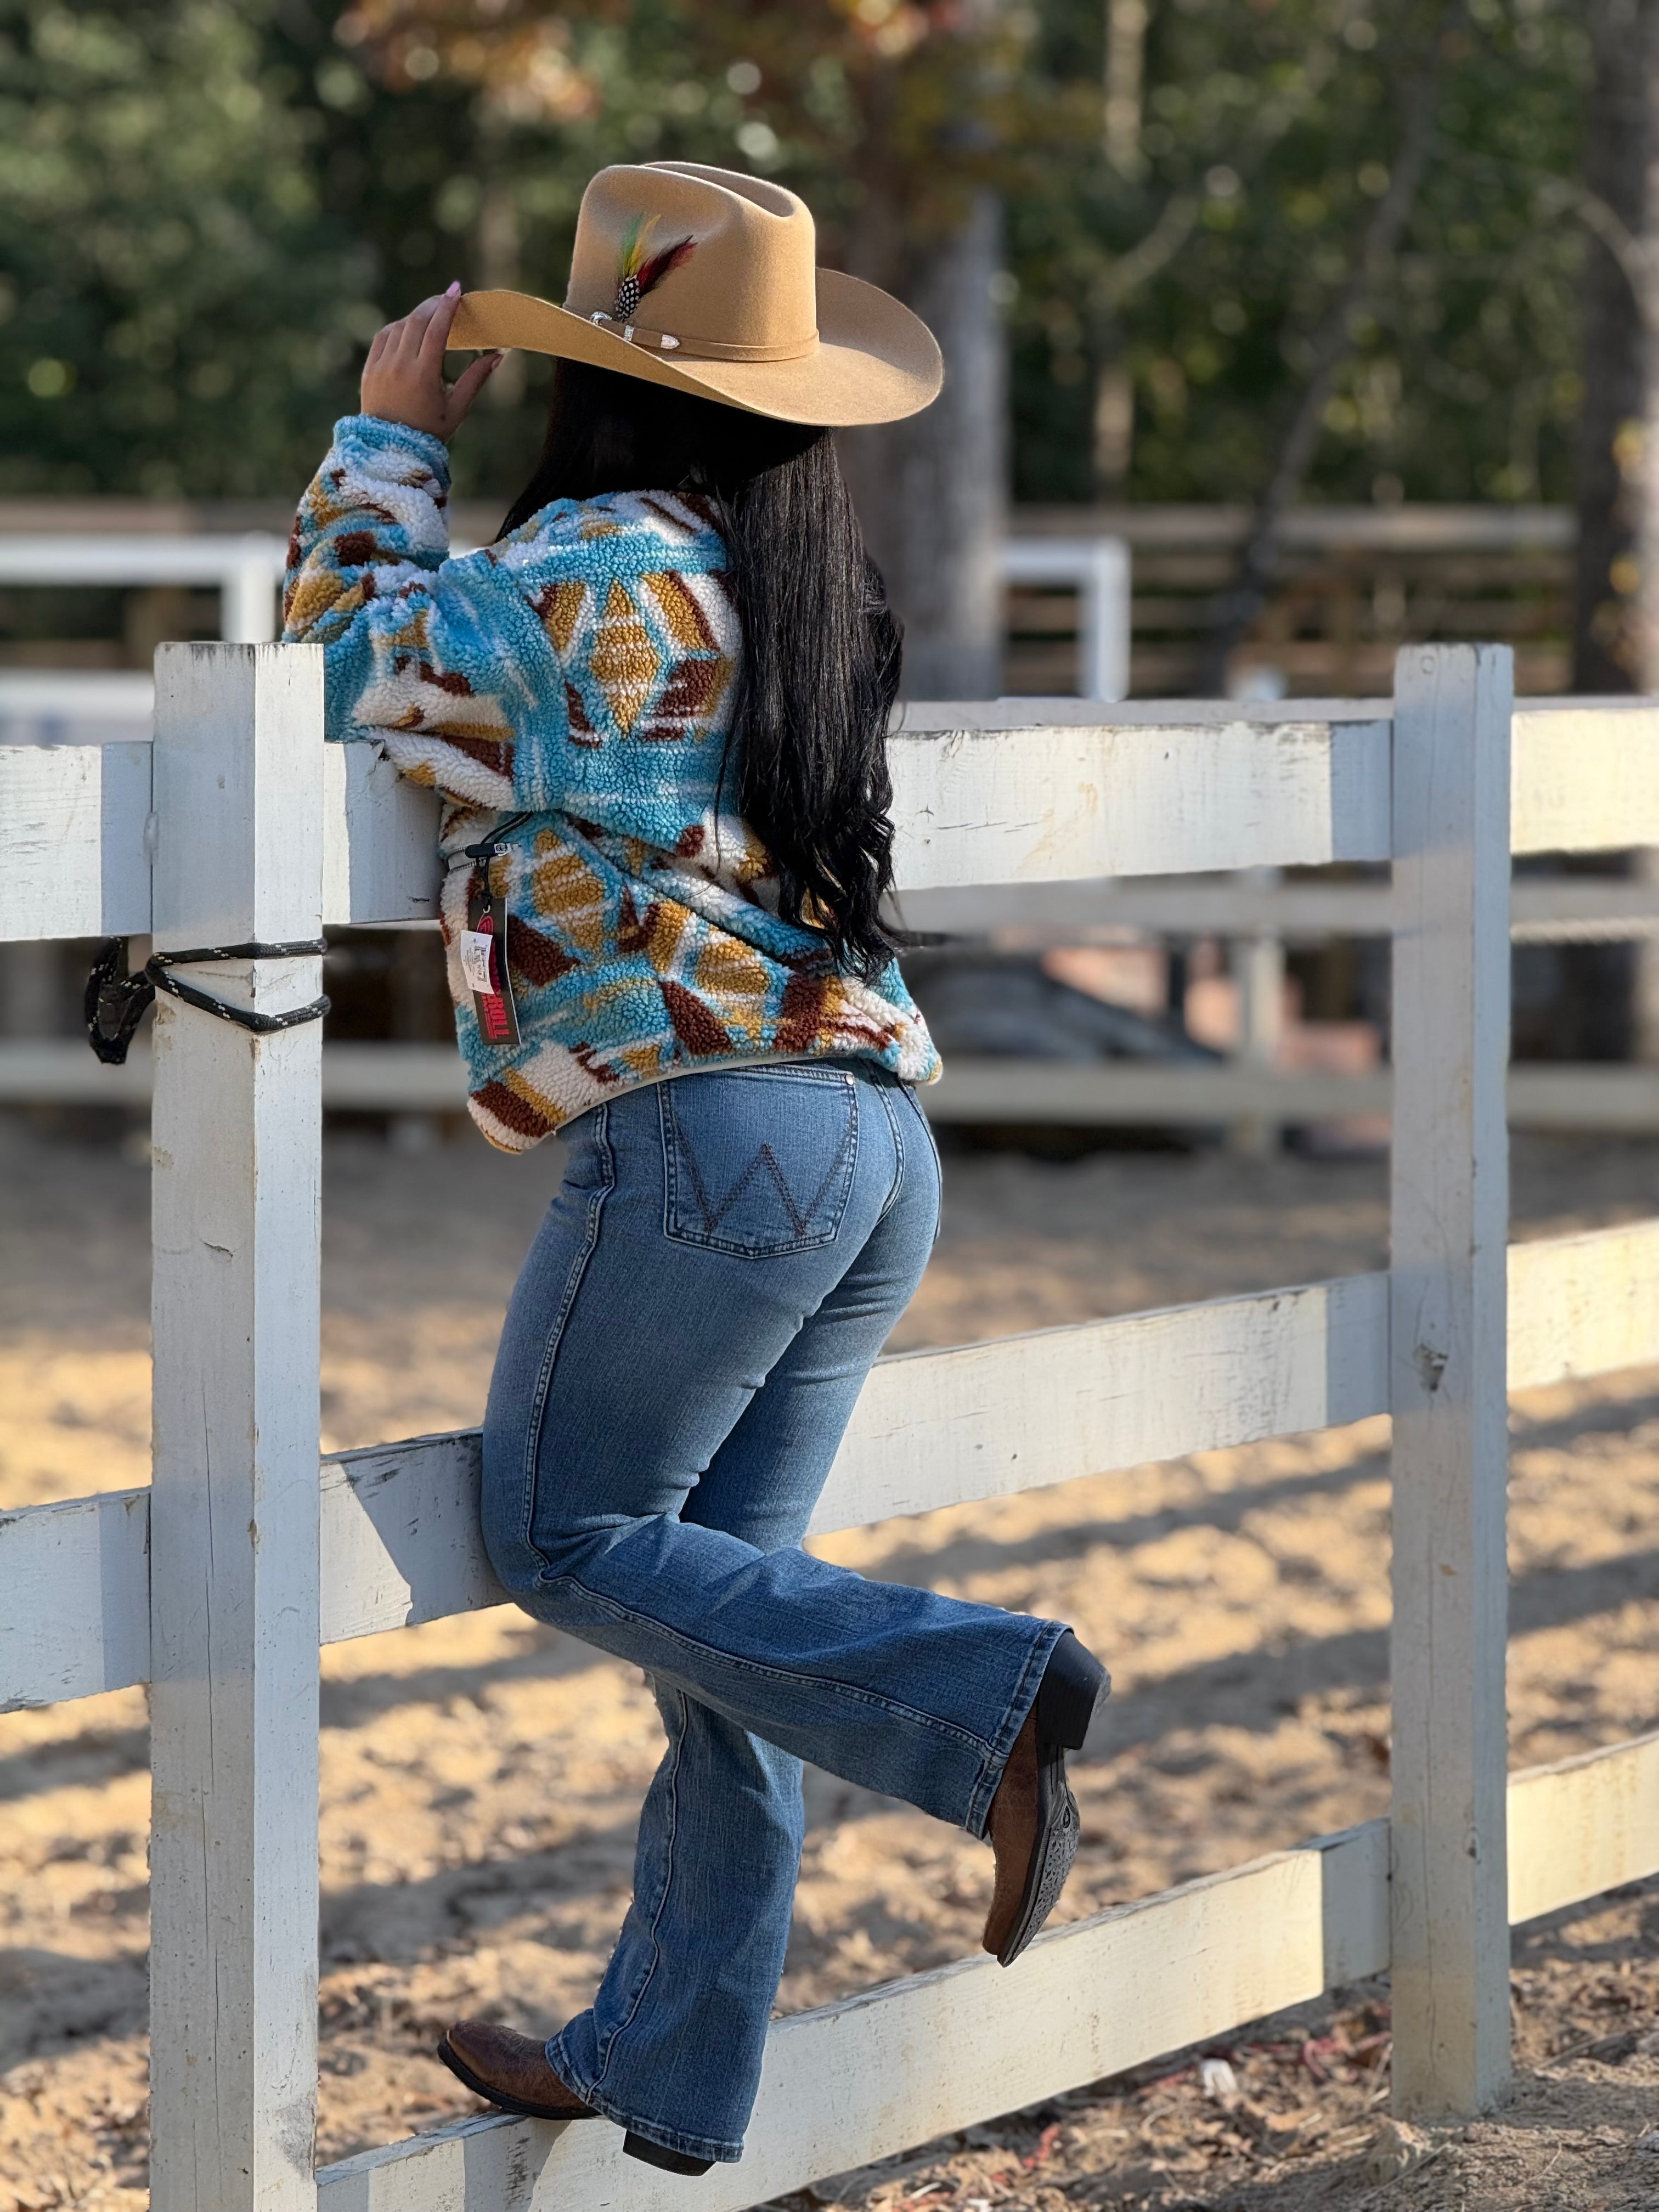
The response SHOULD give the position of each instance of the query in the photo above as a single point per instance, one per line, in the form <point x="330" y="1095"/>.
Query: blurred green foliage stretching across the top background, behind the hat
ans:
<point x="209" y="205"/>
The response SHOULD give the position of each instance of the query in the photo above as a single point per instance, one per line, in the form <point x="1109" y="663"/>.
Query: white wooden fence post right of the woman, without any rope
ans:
<point x="1448" y="1344"/>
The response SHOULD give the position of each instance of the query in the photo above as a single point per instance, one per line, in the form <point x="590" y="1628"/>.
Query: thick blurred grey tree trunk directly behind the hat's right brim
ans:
<point x="932" y="490"/>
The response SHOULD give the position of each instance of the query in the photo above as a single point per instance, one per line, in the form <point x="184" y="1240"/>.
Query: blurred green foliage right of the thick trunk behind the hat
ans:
<point x="1275" y="129"/>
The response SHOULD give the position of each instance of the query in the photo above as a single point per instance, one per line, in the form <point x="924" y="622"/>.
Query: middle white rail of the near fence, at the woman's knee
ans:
<point x="399" y="1523"/>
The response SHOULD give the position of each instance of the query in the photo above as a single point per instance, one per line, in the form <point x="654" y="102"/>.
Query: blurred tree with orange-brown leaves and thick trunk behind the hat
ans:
<point x="897" y="121"/>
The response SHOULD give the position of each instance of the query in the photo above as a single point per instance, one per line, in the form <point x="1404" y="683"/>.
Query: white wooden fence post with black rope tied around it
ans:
<point x="236" y="1507"/>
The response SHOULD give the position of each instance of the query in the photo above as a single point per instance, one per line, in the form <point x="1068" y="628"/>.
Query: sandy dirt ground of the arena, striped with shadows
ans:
<point x="481" y="1777"/>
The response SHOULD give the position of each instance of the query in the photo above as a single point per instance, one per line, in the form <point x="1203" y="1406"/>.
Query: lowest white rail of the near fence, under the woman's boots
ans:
<point x="919" y="2058"/>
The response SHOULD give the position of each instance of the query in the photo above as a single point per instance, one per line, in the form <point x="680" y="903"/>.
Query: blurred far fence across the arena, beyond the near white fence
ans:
<point x="1421" y="565"/>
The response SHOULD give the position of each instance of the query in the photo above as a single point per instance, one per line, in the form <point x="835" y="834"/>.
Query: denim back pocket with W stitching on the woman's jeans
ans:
<point x="758" y="1162"/>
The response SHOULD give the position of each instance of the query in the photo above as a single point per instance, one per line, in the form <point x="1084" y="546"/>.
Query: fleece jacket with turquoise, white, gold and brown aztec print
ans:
<point x="576" y="674"/>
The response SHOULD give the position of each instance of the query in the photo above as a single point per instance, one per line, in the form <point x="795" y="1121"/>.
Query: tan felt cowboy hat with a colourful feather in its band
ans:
<point x="707" y="280"/>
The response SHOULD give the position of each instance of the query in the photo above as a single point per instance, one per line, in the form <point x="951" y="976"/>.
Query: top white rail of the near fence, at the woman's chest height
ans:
<point x="983" y="797"/>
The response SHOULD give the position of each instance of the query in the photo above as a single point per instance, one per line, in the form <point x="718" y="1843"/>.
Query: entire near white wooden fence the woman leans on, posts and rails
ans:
<point x="222" y="1580"/>
